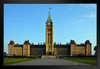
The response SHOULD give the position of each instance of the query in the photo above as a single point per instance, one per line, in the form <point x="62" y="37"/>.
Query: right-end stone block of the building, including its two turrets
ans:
<point x="82" y="49"/>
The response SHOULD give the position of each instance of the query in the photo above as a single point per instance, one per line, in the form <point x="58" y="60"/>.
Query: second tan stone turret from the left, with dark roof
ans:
<point x="26" y="48"/>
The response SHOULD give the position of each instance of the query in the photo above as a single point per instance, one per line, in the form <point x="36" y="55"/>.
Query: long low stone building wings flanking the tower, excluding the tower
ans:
<point x="71" y="49"/>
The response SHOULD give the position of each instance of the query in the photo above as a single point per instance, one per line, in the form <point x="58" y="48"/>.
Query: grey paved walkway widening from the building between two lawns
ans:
<point x="49" y="61"/>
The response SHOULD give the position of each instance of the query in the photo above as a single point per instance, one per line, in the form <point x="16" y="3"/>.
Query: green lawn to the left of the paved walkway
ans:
<point x="16" y="60"/>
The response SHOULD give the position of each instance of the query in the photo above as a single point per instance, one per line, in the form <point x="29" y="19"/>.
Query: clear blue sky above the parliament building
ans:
<point x="76" y="22"/>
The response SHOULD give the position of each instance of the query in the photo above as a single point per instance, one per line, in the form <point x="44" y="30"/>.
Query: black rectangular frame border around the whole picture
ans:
<point x="47" y="2"/>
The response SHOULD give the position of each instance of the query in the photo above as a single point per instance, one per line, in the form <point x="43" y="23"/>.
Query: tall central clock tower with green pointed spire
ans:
<point x="49" y="36"/>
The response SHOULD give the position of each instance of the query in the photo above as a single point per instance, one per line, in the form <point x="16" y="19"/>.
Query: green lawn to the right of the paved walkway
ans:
<point x="86" y="60"/>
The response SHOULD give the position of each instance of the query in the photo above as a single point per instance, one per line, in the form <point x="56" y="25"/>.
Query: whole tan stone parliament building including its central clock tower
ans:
<point x="70" y="49"/>
